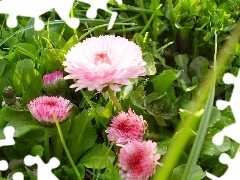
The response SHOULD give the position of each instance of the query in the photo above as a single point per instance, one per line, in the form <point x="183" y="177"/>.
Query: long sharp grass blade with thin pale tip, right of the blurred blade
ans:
<point x="197" y="145"/>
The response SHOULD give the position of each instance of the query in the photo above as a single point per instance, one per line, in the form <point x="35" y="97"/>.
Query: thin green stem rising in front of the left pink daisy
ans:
<point x="65" y="147"/>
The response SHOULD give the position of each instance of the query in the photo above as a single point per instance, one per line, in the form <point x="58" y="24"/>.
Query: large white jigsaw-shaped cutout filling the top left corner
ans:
<point x="36" y="8"/>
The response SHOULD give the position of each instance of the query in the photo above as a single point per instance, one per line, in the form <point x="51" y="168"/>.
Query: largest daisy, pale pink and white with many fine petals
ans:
<point x="105" y="61"/>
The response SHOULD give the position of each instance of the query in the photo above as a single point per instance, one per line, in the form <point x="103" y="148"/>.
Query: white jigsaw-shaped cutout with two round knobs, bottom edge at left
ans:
<point x="44" y="171"/>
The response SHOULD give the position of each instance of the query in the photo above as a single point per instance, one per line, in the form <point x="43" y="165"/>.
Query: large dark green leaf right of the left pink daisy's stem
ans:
<point x="82" y="135"/>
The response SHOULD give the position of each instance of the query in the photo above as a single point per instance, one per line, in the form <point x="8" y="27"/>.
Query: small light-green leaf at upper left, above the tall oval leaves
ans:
<point x="27" y="49"/>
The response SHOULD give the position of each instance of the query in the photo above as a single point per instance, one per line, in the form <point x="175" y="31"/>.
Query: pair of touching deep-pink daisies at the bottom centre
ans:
<point x="137" y="159"/>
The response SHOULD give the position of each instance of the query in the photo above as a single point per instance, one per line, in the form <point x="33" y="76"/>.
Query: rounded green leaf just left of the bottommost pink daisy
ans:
<point x="95" y="159"/>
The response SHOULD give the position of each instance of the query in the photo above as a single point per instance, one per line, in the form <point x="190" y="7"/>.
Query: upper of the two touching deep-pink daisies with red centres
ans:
<point x="126" y="127"/>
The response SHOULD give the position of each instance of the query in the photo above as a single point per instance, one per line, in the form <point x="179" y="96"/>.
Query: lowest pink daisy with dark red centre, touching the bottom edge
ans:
<point x="138" y="160"/>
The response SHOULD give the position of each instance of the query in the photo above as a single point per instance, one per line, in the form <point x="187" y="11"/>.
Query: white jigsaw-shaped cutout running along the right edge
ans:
<point x="232" y="131"/>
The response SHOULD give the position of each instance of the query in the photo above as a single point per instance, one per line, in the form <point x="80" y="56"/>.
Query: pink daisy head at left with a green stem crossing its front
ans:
<point x="43" y="107"/>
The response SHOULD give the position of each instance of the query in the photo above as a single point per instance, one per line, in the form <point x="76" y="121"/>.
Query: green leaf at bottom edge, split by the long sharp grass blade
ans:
<point x="197" y="173"/>
